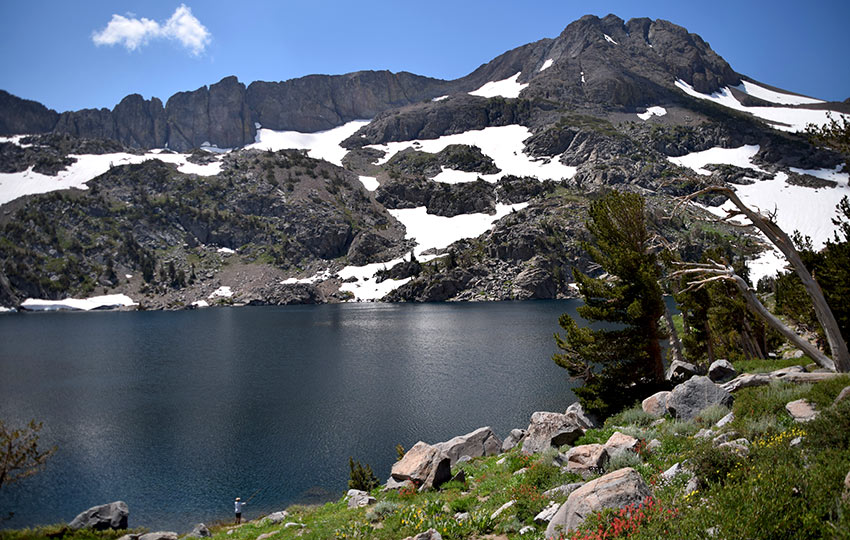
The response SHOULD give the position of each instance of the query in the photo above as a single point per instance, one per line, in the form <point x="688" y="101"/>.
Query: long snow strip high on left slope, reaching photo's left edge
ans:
<point x="87" y="167"/>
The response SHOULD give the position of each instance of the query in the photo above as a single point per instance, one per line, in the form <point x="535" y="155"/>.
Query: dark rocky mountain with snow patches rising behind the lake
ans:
<point x="531" y="137"/>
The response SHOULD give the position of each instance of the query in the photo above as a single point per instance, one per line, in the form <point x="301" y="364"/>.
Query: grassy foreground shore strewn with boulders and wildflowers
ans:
<point x="681" y="461"/>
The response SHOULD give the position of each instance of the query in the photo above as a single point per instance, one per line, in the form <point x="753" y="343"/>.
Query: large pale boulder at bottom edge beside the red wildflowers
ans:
<point x="614" y="490"/>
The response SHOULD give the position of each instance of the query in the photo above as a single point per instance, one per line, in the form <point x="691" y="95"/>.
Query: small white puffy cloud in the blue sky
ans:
<point x="133" y="32"/>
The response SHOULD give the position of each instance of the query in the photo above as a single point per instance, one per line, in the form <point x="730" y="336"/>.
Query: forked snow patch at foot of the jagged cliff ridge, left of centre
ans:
<point x="320" y="145"/>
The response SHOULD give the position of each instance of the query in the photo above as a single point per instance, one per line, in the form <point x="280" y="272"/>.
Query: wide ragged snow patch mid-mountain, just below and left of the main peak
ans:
<point x="503" y="144"/>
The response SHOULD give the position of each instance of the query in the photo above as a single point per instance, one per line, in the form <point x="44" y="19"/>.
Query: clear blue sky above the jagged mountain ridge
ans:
<point x="49" y="51"/>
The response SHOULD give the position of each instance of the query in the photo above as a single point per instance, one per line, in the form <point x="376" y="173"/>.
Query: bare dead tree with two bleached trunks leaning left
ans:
<point x="840" y="356"/>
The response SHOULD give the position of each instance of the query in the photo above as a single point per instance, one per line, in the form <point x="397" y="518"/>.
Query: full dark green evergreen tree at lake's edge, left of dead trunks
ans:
<point x="617" y="366"/>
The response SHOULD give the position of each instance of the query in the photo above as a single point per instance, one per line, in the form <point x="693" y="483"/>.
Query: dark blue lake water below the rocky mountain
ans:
<point x="177" y="413"/>
